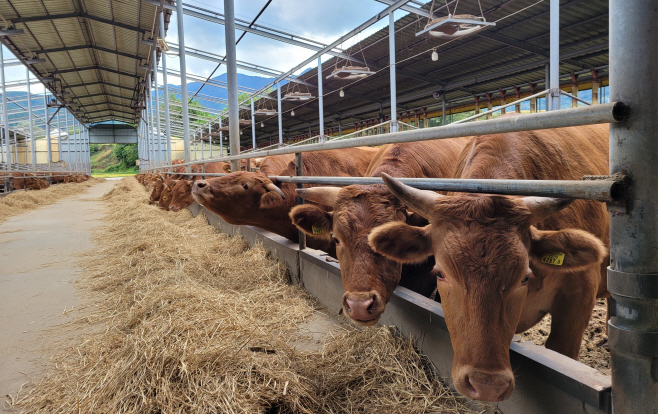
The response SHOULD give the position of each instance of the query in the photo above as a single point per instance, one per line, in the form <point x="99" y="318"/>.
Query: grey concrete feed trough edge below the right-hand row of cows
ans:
<point x="546" y="382"/>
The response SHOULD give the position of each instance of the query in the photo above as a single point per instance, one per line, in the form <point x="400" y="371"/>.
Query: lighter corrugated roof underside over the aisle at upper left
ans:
<point x="92" y="47"/>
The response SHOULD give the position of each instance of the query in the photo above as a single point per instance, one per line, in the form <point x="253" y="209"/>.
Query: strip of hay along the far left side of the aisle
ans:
<point x="19" y="201"/>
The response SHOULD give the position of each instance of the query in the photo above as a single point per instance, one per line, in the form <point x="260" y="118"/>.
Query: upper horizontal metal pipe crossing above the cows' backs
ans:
<point x="584" y="115"/>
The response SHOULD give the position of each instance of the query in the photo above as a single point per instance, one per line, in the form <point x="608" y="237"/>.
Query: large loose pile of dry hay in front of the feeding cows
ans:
<point x="194" y="321"/>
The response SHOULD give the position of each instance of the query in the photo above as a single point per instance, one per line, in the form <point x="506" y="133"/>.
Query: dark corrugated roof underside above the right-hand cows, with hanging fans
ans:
<point x="513" y="53"/>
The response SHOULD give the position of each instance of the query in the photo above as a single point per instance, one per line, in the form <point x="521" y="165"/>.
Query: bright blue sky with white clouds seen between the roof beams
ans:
<point x="321" y="20"/>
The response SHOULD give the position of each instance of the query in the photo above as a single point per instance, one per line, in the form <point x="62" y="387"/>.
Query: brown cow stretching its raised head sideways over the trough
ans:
<point x="251" y="198"/>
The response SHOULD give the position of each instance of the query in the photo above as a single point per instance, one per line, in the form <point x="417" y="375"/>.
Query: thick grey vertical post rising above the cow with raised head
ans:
<point x="232" y="81"/>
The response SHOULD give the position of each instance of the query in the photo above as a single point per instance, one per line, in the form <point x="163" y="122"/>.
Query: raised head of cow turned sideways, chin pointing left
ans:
<point x="238" y="194"/>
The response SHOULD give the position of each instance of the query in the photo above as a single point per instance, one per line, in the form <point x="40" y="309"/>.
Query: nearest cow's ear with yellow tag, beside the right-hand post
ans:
<point x="566" y="250"/>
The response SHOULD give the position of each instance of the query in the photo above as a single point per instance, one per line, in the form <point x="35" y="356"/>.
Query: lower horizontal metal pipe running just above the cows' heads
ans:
<point x="606" y="190"/>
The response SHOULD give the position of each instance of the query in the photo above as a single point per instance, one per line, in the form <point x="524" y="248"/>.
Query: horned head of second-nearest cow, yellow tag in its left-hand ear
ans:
<point x="369" y="278"/>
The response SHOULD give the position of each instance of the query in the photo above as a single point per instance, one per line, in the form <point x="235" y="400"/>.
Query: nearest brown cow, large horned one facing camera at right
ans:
<point x="503" y="263"/>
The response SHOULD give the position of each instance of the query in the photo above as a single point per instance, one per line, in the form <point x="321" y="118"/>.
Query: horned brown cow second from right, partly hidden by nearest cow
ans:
<point x="369" y="279"/>
